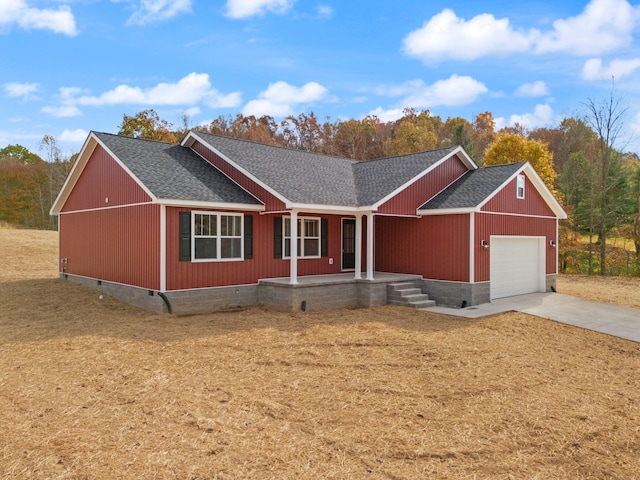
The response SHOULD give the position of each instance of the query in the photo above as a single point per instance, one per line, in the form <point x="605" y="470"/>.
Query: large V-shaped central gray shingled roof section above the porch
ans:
<point x="312" y="178"/>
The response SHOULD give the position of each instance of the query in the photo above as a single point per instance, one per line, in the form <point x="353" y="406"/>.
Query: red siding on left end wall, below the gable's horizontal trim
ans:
<point x="115" y="244"/>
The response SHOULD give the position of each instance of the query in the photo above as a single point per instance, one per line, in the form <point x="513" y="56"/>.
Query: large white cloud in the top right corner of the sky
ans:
<point x="603" y="26"/>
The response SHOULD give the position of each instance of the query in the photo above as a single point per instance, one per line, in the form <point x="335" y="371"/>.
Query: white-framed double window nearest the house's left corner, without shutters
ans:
<point x="216" y="236"/>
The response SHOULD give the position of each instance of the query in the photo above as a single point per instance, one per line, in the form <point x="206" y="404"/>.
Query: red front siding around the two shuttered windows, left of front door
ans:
<point x="185" y="275"/>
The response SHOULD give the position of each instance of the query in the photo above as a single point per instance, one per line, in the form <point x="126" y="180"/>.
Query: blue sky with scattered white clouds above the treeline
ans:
<point x="71" y="66"/>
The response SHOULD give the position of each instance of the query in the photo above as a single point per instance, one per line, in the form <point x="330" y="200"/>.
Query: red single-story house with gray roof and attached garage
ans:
<point x="208" y="224"/>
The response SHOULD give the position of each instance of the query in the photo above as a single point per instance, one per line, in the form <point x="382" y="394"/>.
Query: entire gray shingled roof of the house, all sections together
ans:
<point x="176" y="172"/>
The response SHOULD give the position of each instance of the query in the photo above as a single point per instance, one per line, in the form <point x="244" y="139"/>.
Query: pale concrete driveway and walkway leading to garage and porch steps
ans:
<point x="613" y="320"/>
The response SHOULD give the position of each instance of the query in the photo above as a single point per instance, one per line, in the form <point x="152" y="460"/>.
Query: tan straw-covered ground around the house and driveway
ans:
<point x="91" y="388"/>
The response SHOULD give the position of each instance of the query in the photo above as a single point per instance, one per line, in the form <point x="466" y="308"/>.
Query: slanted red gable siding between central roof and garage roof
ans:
<point x="415" y="195"/>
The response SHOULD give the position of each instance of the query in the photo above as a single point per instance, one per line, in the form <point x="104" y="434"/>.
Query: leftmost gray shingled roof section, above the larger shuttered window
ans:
<point x="173" y="172"/>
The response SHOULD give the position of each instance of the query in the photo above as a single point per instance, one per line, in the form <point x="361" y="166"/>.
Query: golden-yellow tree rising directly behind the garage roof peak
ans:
<point x="512" y="148"/>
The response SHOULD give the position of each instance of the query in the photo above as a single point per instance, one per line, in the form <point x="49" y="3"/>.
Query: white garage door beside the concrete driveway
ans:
<point x="517" y="266"/>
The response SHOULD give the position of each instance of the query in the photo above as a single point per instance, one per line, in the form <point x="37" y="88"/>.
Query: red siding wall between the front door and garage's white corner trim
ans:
<point x="436" y="247"/>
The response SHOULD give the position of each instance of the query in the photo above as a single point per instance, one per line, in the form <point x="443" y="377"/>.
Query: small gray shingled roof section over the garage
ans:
<point x="472" y="188"/>
